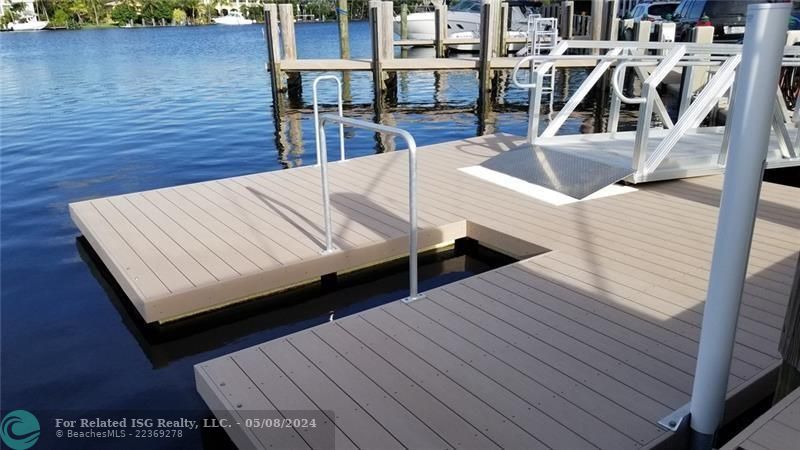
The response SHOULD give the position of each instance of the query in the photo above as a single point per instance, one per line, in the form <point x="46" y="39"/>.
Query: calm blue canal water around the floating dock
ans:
<point x="96" y="113"/>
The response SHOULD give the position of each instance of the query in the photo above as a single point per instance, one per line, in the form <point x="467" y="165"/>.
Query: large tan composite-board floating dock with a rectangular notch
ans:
<point x="587" y="345"/>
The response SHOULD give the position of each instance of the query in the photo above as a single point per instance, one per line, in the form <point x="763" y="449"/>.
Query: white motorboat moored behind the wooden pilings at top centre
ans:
<point x="463" y="22"/>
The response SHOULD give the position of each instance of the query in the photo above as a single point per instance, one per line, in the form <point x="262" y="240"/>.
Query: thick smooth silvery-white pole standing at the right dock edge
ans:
<point x="750" y="129"/>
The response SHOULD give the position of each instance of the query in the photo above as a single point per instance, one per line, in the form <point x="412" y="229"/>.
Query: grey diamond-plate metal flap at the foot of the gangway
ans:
<point x="568" y="173"/>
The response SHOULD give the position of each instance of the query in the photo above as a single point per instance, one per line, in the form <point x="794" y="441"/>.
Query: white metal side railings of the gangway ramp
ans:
<point x="723" y="59"/>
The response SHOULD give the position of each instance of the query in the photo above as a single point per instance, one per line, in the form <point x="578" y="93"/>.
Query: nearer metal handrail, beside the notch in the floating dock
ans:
<point x="413" y="293"/>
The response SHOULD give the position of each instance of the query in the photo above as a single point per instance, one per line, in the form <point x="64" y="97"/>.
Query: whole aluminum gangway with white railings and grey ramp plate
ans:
<point x="666" y="148"/>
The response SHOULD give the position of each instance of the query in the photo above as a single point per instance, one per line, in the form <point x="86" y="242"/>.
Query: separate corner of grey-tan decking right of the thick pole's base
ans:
<point x="776" y="429"/>
